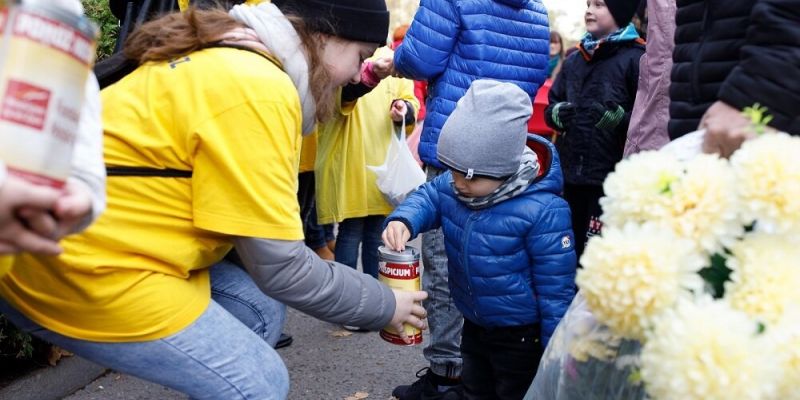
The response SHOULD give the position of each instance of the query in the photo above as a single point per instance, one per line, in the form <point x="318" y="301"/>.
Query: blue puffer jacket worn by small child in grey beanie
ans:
<point x="510" y="264"/>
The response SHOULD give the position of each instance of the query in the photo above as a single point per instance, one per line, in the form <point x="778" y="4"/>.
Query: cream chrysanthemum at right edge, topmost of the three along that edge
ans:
<point x="768" y="182"/>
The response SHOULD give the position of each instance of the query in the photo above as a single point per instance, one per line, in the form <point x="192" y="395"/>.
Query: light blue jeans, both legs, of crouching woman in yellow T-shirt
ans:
<point x="216" y="357"/>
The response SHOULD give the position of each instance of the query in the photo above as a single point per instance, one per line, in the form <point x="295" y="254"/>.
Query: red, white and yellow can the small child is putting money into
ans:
<point x="400" y="270"/>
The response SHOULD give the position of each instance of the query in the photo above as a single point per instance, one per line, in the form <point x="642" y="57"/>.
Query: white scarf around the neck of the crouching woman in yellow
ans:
<point x="282" y="41"/>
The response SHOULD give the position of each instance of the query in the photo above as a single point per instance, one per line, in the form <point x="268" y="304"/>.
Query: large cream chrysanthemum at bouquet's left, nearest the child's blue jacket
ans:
<point x="631" y="275"/>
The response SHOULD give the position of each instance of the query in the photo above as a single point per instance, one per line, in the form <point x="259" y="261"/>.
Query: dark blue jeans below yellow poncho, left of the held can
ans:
<point x="364" y="231"/>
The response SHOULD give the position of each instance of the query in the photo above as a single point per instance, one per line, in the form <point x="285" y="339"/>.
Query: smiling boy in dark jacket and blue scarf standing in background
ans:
<point x="591" y="102"/>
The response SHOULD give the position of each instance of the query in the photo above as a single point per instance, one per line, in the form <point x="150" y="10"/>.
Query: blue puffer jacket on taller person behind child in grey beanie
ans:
<point x="453" y="42"/>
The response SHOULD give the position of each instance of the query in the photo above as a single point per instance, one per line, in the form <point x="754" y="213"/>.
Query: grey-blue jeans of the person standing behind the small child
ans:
<point x="444" y="320"/>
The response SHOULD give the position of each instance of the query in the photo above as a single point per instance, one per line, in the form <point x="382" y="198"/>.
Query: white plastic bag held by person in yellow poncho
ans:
<point x="399" y="174"/>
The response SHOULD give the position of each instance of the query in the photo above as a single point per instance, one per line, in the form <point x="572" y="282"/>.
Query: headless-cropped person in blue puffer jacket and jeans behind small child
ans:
<point x="449" y="44"/>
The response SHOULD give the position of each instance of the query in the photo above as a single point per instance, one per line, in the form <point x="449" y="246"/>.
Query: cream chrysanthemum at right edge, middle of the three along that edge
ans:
<point x="765" y="277"/>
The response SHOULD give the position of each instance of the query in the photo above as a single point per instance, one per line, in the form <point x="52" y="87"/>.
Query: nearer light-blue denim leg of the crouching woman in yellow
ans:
<point x="216" y="357"/>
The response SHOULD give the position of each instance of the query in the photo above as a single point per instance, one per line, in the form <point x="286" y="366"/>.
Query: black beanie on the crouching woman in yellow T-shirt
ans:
<point x="361" y="20"/>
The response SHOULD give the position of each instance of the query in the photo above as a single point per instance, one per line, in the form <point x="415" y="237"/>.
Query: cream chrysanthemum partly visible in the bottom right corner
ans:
<point x="784" y="339"/>
